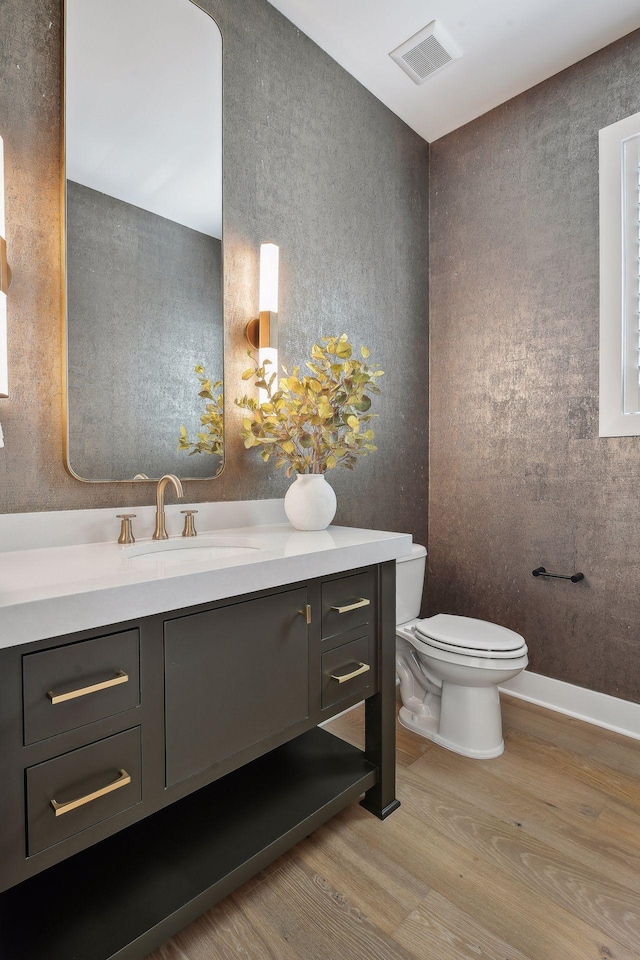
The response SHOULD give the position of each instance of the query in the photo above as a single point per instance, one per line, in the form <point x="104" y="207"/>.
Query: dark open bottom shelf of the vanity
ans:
<point x="125" y="895"/>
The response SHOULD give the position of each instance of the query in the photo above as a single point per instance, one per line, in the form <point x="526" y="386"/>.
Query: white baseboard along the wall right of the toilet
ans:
<point x="622" y="716"/>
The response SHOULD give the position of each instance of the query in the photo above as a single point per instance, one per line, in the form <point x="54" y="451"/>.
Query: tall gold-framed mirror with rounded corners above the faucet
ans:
<point x="143" y="238"/>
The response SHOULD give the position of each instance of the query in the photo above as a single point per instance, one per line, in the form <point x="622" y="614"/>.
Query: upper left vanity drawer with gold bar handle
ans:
<point x="79" y="683"/>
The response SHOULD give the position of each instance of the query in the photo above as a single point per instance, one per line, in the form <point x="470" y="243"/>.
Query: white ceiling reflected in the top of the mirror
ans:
<point x="143" y="106"/>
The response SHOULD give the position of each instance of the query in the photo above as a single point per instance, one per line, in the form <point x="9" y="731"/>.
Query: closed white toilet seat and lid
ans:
<point x="467" y="634"/>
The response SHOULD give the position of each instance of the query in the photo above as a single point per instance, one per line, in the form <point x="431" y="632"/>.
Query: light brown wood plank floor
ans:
<point x="533" y="856"/>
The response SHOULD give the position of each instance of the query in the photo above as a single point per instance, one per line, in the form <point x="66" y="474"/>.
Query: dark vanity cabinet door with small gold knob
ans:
<point x="233" y="677"/>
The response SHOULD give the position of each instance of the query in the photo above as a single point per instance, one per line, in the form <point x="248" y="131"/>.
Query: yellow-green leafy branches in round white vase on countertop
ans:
<point x="313" y="422"/>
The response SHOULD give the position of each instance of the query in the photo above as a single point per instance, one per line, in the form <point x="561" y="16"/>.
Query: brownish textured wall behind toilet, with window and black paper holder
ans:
<point x="519" y="477"/>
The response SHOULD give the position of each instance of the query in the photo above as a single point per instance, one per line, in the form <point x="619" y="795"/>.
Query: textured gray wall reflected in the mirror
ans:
<point x="144" y="301"/>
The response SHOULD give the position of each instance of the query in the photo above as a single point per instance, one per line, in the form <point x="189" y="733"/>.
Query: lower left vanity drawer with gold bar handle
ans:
<point x="87" y="786"/>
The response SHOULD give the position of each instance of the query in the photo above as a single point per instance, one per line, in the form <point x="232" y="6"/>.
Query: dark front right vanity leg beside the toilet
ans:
<point x="380" y="710"/>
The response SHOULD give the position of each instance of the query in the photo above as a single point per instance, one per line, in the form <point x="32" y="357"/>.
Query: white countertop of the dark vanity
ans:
<point x="55" y="590"/>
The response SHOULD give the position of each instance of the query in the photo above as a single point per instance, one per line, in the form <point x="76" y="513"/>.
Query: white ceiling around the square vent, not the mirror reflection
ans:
<point x="508" y="46"/>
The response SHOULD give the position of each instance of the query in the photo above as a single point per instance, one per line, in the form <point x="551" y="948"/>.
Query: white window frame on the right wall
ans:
<point x="616" y="294"/>
